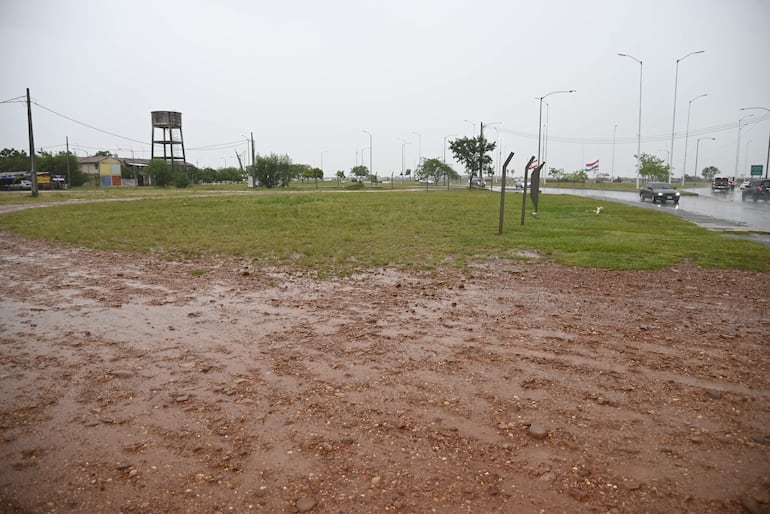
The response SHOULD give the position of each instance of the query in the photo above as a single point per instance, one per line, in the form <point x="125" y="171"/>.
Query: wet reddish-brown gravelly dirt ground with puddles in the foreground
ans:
<point x="129" y="383"/>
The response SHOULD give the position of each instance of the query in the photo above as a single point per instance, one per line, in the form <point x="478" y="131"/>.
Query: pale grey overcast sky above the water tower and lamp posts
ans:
<point x="307" y="77"/>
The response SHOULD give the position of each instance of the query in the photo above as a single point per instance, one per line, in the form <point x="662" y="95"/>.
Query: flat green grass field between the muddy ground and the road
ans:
<point x="342" y="232"/>
